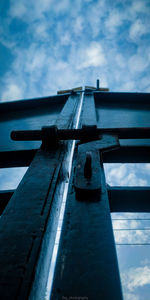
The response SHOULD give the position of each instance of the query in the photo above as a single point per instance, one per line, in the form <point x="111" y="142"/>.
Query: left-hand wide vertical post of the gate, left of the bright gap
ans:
<point x="25" y="219"/>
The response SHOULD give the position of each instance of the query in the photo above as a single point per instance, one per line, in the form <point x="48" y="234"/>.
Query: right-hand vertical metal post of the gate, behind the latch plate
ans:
<point x="87" y="265"/>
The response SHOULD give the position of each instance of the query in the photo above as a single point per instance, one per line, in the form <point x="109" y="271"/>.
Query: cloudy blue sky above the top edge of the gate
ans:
<point x="47" y="45"/>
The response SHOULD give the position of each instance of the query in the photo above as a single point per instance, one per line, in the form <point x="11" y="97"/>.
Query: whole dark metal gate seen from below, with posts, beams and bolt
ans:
<point x="56" y="232"/>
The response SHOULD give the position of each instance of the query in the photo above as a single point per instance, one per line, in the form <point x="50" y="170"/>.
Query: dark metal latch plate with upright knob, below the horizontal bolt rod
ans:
<point x="87" y="181"/>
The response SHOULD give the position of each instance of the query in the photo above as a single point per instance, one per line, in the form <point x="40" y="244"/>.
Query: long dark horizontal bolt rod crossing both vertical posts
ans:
<point x="79" y="134"/>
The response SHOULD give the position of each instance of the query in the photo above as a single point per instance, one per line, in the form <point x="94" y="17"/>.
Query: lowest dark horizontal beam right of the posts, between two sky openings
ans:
<point x="129" y="199"/>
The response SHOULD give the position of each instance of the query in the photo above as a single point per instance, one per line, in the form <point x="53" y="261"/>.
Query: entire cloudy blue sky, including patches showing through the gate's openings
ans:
<point x="48" y="45"/>
